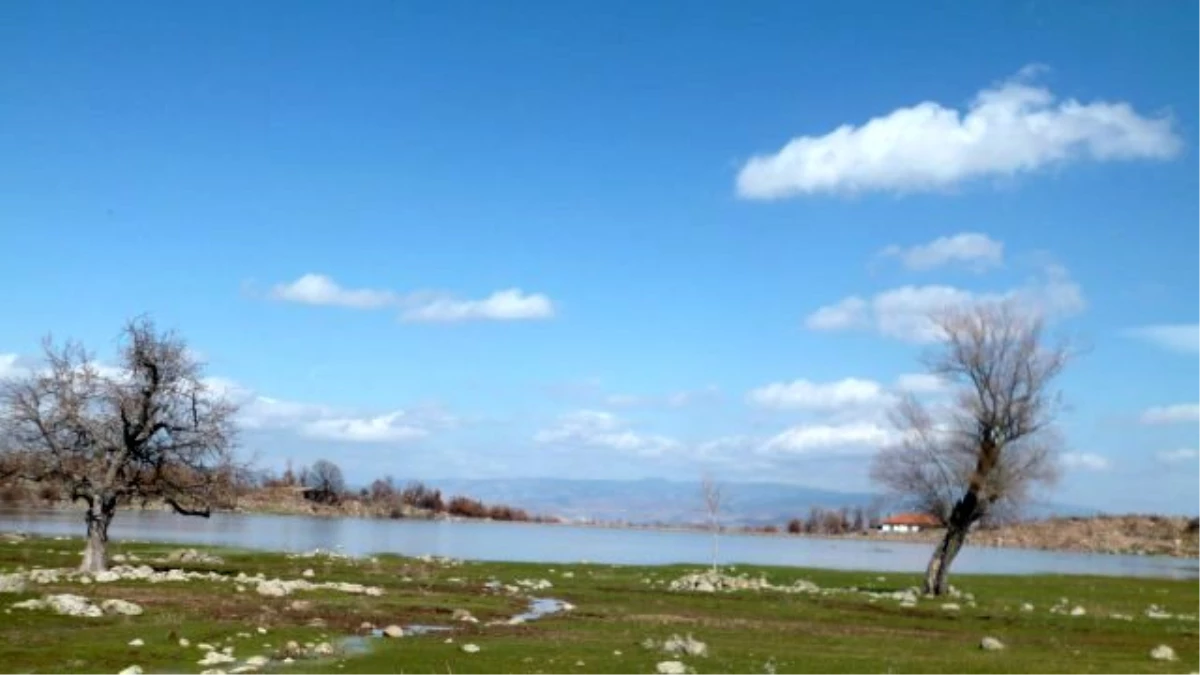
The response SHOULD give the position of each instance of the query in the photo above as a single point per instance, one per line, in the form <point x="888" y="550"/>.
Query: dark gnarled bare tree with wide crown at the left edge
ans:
<point x="146" y="431"/>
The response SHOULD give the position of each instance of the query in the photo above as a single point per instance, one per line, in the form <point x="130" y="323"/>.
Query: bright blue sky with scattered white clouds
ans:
<point x="614" y="241"/>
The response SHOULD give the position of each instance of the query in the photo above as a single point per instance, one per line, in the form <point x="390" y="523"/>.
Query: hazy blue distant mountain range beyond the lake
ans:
<point x="670" y="501"/>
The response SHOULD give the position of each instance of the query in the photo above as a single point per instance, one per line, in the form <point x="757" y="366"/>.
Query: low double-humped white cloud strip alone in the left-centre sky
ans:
<point x="427" y="307"/>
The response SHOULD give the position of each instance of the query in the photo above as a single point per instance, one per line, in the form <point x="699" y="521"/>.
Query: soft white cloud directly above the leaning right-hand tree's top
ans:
<point x="904" y="313"/>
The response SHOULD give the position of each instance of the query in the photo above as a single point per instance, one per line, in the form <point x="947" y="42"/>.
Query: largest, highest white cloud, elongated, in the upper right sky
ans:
<point x="1009" y="129"/>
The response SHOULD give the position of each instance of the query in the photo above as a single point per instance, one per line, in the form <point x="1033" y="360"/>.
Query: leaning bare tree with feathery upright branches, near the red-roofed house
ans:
<point x="995" y="444"/>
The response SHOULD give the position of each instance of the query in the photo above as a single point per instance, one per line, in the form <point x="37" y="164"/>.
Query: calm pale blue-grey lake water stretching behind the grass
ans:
<point x="561" y="543"/>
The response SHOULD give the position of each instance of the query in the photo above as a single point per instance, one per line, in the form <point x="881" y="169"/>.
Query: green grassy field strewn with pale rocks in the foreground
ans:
<point x="616" y="610"/>
